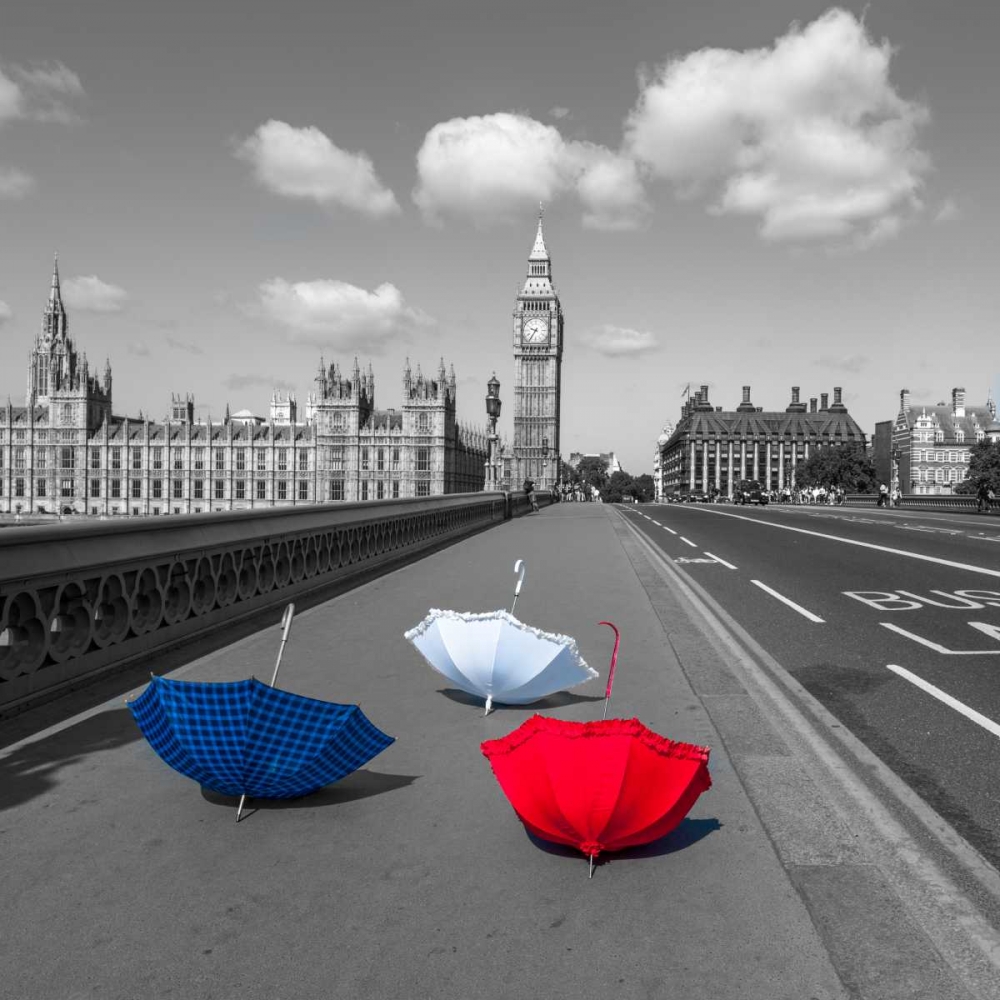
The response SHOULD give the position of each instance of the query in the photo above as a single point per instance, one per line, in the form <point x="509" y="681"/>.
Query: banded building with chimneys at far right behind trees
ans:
<point x="931" y="444"/>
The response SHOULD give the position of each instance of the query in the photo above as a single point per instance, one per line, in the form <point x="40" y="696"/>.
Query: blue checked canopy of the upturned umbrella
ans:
<point x="246" y="738"/>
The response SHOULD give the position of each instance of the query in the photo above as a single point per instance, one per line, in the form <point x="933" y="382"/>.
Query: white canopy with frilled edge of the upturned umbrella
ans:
<point x="497" y="657"/>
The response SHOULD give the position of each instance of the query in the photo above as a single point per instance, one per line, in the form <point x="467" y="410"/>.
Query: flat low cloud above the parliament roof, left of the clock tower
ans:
<point x="332" y="312"/>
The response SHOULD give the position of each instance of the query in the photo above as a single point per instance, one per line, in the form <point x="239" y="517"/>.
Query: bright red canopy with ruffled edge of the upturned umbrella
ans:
<point x="597" y="786"/>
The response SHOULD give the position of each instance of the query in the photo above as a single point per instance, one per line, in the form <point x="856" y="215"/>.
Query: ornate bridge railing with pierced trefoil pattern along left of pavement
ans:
<point x="79" y="599"/>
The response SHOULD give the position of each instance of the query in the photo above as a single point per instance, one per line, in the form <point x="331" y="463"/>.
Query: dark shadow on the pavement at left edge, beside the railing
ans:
<point x="33" y="769"/>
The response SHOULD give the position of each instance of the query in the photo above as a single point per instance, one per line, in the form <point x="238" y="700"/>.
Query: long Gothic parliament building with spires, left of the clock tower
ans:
<point x="65" y="451"/>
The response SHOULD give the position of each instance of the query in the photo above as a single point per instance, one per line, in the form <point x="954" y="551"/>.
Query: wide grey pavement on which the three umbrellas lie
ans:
<point x="413" y="877"/>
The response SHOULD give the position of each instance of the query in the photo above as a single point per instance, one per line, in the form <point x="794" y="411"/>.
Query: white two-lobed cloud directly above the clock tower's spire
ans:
<point x="491" y="168"/>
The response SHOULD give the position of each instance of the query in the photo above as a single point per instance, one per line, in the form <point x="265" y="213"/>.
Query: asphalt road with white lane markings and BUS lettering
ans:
<point x="883" y="615"/>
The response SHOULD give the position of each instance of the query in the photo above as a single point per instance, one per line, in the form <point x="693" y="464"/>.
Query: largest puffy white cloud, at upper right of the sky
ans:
<point x="808" y="135"/>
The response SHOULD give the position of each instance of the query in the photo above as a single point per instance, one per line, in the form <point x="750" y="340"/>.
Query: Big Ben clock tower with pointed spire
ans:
<point x="538" y="332"/>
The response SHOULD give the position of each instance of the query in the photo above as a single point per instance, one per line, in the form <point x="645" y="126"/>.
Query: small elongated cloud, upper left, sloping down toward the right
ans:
<point x="304" y="163"/>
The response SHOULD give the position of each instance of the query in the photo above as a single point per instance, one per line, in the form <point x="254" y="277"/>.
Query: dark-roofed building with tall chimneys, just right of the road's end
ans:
<point x="712" y="449"/>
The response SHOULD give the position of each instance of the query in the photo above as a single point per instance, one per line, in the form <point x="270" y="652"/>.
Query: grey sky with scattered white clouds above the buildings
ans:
<point x="774" y="194"/>
